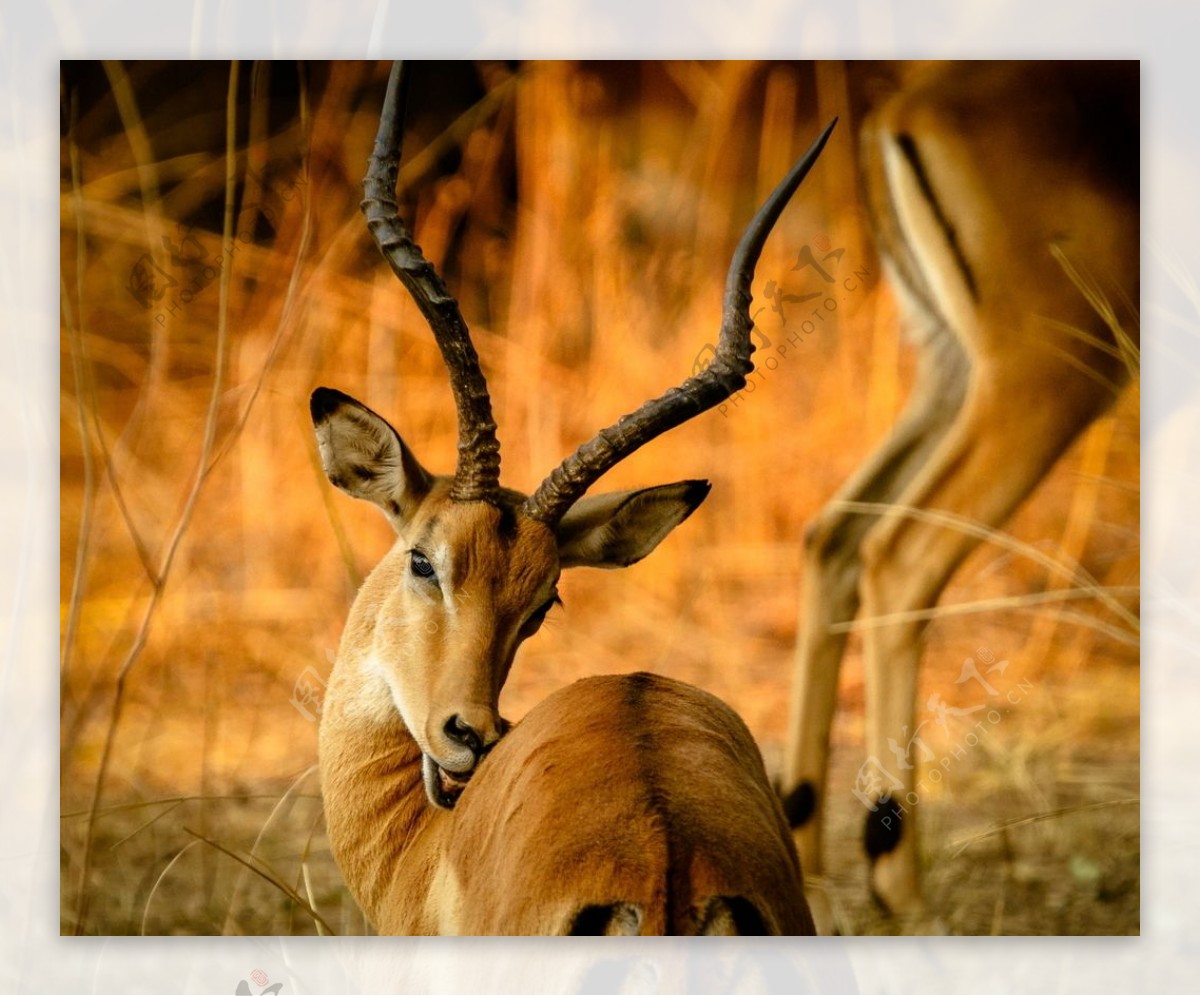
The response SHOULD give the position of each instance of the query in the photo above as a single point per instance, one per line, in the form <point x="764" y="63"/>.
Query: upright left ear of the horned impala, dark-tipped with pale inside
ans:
<point x="364" y="457"/>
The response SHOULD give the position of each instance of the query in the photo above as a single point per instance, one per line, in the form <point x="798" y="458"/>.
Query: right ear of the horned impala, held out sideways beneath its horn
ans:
<point x="620" y="529"/>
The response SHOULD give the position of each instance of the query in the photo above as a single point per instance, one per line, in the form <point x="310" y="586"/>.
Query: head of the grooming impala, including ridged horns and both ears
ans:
<point x="476" y="566"/>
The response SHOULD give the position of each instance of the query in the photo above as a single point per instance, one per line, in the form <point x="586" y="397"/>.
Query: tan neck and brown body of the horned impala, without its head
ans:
<point x="633" y="790"/>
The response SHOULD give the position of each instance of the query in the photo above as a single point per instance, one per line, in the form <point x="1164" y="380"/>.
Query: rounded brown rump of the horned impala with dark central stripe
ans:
<point x="627" y="805"/>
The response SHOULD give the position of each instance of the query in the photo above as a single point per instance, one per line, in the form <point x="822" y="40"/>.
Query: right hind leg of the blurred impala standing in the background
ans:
<point x="983" y="469"/>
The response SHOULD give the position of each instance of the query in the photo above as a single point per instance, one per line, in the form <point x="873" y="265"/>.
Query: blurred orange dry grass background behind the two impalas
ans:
<point x="585" y="215"/>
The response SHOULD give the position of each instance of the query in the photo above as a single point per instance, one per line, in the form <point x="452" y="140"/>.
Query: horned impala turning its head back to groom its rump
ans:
<point x="628" y="805"/>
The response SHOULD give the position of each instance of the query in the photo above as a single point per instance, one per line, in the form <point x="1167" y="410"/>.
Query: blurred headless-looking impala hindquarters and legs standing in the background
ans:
<point x="1004" y="200"/>
